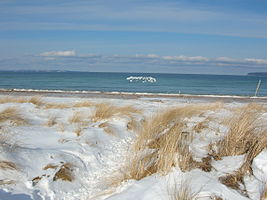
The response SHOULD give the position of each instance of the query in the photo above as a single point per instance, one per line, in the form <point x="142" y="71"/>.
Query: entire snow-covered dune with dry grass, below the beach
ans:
<point x="77" y="148"/>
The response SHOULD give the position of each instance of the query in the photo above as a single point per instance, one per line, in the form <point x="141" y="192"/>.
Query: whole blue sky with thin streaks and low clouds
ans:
<point x="165" y="36"/>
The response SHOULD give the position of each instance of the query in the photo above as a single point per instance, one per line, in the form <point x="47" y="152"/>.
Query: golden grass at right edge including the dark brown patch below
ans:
<point x="246" y="136"/>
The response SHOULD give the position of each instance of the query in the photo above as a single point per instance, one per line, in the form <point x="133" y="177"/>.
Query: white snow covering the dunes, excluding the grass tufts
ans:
<point x="96" y="155"/>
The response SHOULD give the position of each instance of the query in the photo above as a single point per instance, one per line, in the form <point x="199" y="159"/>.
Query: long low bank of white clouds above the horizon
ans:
<point x="179" y="60"/>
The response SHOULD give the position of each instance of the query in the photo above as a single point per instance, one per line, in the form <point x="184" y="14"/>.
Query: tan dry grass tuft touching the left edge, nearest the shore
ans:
<point x="13" y="115"/>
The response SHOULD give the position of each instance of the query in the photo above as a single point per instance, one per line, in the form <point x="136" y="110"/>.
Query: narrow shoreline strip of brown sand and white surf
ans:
<point x="128" y="95"/>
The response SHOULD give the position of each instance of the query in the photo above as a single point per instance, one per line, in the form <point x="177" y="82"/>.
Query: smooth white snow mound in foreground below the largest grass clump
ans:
<point x="156" y="187"/>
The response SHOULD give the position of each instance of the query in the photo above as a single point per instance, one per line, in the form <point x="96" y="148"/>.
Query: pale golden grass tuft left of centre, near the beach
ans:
<point x="105" y="111"/>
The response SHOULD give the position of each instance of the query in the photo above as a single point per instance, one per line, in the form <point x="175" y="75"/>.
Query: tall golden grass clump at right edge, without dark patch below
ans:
<point x="246" y="135"/>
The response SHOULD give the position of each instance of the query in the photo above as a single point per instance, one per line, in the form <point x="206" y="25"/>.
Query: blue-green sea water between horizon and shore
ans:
<point x="166" y="83"/>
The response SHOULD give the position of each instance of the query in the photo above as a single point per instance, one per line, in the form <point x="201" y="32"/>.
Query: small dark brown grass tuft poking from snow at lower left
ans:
<point x="64" y="173"/>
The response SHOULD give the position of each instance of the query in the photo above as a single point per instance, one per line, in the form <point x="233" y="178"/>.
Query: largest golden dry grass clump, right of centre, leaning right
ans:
<point x="163" y="143"/>
